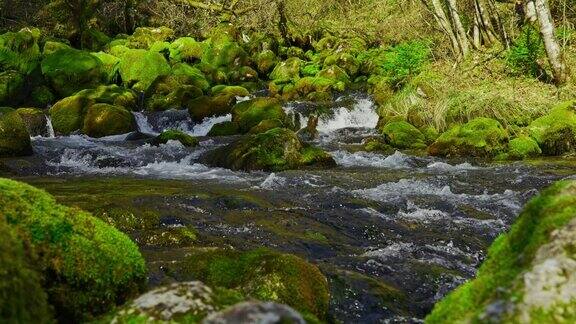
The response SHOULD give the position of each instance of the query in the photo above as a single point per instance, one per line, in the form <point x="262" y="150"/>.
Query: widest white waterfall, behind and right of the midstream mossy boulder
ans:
<point x="362" y="115"/>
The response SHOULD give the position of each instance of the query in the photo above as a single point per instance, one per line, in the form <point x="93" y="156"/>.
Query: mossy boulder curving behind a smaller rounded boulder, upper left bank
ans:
<point x="68" y="114"/>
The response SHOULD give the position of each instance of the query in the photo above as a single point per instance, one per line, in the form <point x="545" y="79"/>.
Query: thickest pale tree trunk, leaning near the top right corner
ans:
<point x="553" y="50"/>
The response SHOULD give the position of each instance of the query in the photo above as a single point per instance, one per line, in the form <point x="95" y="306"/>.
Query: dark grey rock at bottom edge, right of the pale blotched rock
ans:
<point x="252" y="312"/>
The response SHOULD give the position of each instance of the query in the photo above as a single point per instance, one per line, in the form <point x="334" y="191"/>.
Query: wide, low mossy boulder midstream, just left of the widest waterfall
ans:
<point x="275" y="150"/>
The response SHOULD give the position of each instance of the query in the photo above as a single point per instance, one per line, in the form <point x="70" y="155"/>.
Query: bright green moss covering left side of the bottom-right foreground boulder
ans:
<point x="499" y="277"/>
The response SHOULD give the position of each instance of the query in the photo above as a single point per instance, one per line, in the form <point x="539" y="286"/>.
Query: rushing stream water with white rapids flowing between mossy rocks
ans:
<point x="393" y="233"/>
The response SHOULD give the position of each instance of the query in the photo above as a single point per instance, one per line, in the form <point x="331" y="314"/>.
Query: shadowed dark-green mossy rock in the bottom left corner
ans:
<point x="22" y="299"/>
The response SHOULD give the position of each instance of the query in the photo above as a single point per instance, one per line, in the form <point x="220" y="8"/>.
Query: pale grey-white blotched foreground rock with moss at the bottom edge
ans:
<point x="184" y="302"/>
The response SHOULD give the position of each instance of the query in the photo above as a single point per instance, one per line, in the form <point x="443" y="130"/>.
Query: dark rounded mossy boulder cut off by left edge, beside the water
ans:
<point x="14" y="137"/>
